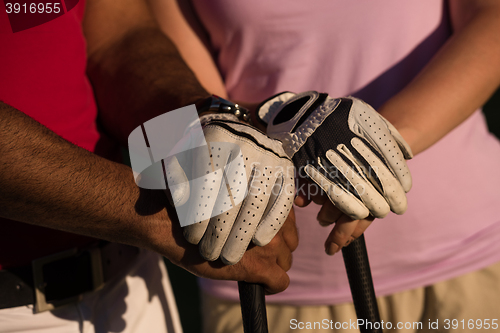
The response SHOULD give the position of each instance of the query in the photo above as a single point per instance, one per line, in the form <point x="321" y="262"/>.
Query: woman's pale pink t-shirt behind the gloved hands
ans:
<point x="370" y="49"/>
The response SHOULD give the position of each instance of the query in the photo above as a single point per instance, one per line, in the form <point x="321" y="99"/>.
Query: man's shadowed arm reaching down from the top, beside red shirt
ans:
<point x="136" y="71"/>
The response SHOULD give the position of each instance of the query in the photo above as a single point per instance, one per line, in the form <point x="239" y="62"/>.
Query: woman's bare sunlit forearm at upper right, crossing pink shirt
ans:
<point x="456" y="82"/>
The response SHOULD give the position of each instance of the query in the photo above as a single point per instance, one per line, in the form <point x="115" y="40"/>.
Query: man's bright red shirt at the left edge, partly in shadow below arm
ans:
<point x="42" y="73"/>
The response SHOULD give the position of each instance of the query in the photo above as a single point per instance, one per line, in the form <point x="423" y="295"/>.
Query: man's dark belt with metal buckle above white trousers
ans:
<point x="62" y="278"/>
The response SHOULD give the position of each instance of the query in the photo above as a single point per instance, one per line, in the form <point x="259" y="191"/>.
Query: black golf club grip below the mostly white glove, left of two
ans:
<point x="253" y="307"/>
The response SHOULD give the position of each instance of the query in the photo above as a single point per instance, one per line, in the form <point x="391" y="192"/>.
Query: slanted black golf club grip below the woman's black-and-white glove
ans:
<point x="360" y="281"/>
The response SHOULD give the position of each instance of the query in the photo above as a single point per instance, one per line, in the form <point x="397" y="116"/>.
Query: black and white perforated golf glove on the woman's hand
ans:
<point x="355" y="155"/>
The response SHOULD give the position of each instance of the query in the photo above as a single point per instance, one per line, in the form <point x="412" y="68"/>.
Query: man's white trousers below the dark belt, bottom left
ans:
<point x="141" y="301"/>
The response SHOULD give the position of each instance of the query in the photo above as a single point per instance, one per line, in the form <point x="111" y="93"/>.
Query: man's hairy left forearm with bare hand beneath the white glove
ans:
<point x="47" y="181"/>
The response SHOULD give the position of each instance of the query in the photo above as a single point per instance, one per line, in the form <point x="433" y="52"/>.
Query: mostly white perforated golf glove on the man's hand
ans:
<point x="236" y="188"/>
